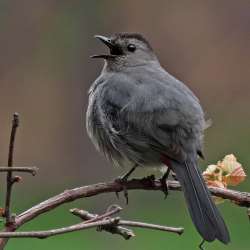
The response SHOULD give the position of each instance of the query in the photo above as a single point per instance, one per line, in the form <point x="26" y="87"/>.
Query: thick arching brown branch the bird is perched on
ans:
<point x="241" y="198"/>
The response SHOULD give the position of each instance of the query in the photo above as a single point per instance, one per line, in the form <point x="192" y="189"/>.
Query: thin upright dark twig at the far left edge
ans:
<point x="10" y="180"/>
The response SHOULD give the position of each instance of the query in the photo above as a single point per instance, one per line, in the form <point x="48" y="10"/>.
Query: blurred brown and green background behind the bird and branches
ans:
<point x="45" y="72"/>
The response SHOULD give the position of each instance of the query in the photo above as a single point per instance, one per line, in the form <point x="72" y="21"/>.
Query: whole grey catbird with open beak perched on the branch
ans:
<point x="140" y="115"/>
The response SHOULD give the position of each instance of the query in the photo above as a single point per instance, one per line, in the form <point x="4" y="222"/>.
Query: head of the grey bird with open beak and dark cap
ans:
<point x="126" y="49"/>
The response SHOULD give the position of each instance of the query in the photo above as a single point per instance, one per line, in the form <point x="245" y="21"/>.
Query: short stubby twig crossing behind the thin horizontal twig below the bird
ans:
<point x="114" y="229"/>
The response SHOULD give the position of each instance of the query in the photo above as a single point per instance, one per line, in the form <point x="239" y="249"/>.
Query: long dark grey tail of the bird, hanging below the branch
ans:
<point x="205" y="215"/>
